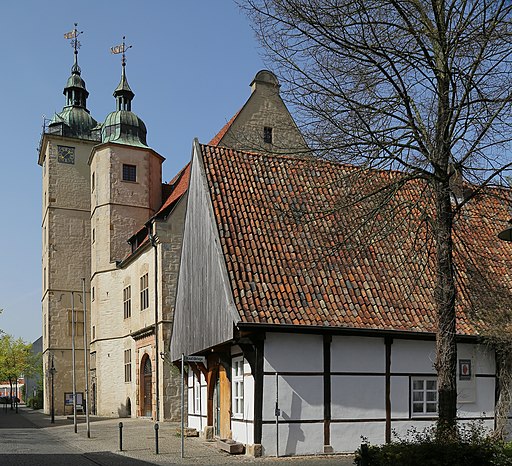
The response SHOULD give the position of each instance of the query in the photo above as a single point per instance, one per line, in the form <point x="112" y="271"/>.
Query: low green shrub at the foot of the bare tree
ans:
<point x="473" y="447"/>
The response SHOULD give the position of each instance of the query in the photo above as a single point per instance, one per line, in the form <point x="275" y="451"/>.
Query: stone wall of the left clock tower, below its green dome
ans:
<point x="65" y="261"/>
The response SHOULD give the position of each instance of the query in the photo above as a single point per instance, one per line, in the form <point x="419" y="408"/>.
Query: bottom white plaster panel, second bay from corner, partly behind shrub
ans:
<point x="346" y="437"/>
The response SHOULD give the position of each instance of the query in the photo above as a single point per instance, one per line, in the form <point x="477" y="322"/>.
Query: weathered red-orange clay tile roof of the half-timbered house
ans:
<point x="295" y="256"/>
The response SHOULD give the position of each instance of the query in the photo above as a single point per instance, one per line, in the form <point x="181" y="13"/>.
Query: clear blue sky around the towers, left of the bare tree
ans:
<point x="190" y="67"/>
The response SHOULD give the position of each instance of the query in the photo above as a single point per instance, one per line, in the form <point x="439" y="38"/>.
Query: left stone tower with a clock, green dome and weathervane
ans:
<point x="64" y="152"/>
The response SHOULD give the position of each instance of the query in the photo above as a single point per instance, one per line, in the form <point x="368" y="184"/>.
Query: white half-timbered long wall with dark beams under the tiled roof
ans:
<point x="356" y="397"/>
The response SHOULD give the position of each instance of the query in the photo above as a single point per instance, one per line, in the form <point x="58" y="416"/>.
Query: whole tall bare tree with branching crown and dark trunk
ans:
<point x="420" y="86"/>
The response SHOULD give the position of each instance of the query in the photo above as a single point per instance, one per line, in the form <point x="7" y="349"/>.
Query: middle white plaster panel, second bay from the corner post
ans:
<point x="358" y="397"/>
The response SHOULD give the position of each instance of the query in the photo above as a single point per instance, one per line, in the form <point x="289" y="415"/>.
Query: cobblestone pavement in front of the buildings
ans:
<point x="28" y="438"/>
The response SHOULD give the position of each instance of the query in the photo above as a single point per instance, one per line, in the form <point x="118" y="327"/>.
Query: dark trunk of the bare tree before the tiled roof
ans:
<point x="446" y="357"/>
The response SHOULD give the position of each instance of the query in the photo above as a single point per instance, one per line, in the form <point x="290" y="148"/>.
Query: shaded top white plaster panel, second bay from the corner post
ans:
<point x="357" y="354"/>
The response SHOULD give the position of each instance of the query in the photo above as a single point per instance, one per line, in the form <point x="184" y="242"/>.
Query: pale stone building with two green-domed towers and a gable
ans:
<point x="112" y="228"/>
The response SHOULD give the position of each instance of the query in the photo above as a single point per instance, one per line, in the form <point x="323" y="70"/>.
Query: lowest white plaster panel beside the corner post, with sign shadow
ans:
<point x="294" y="439"/>
